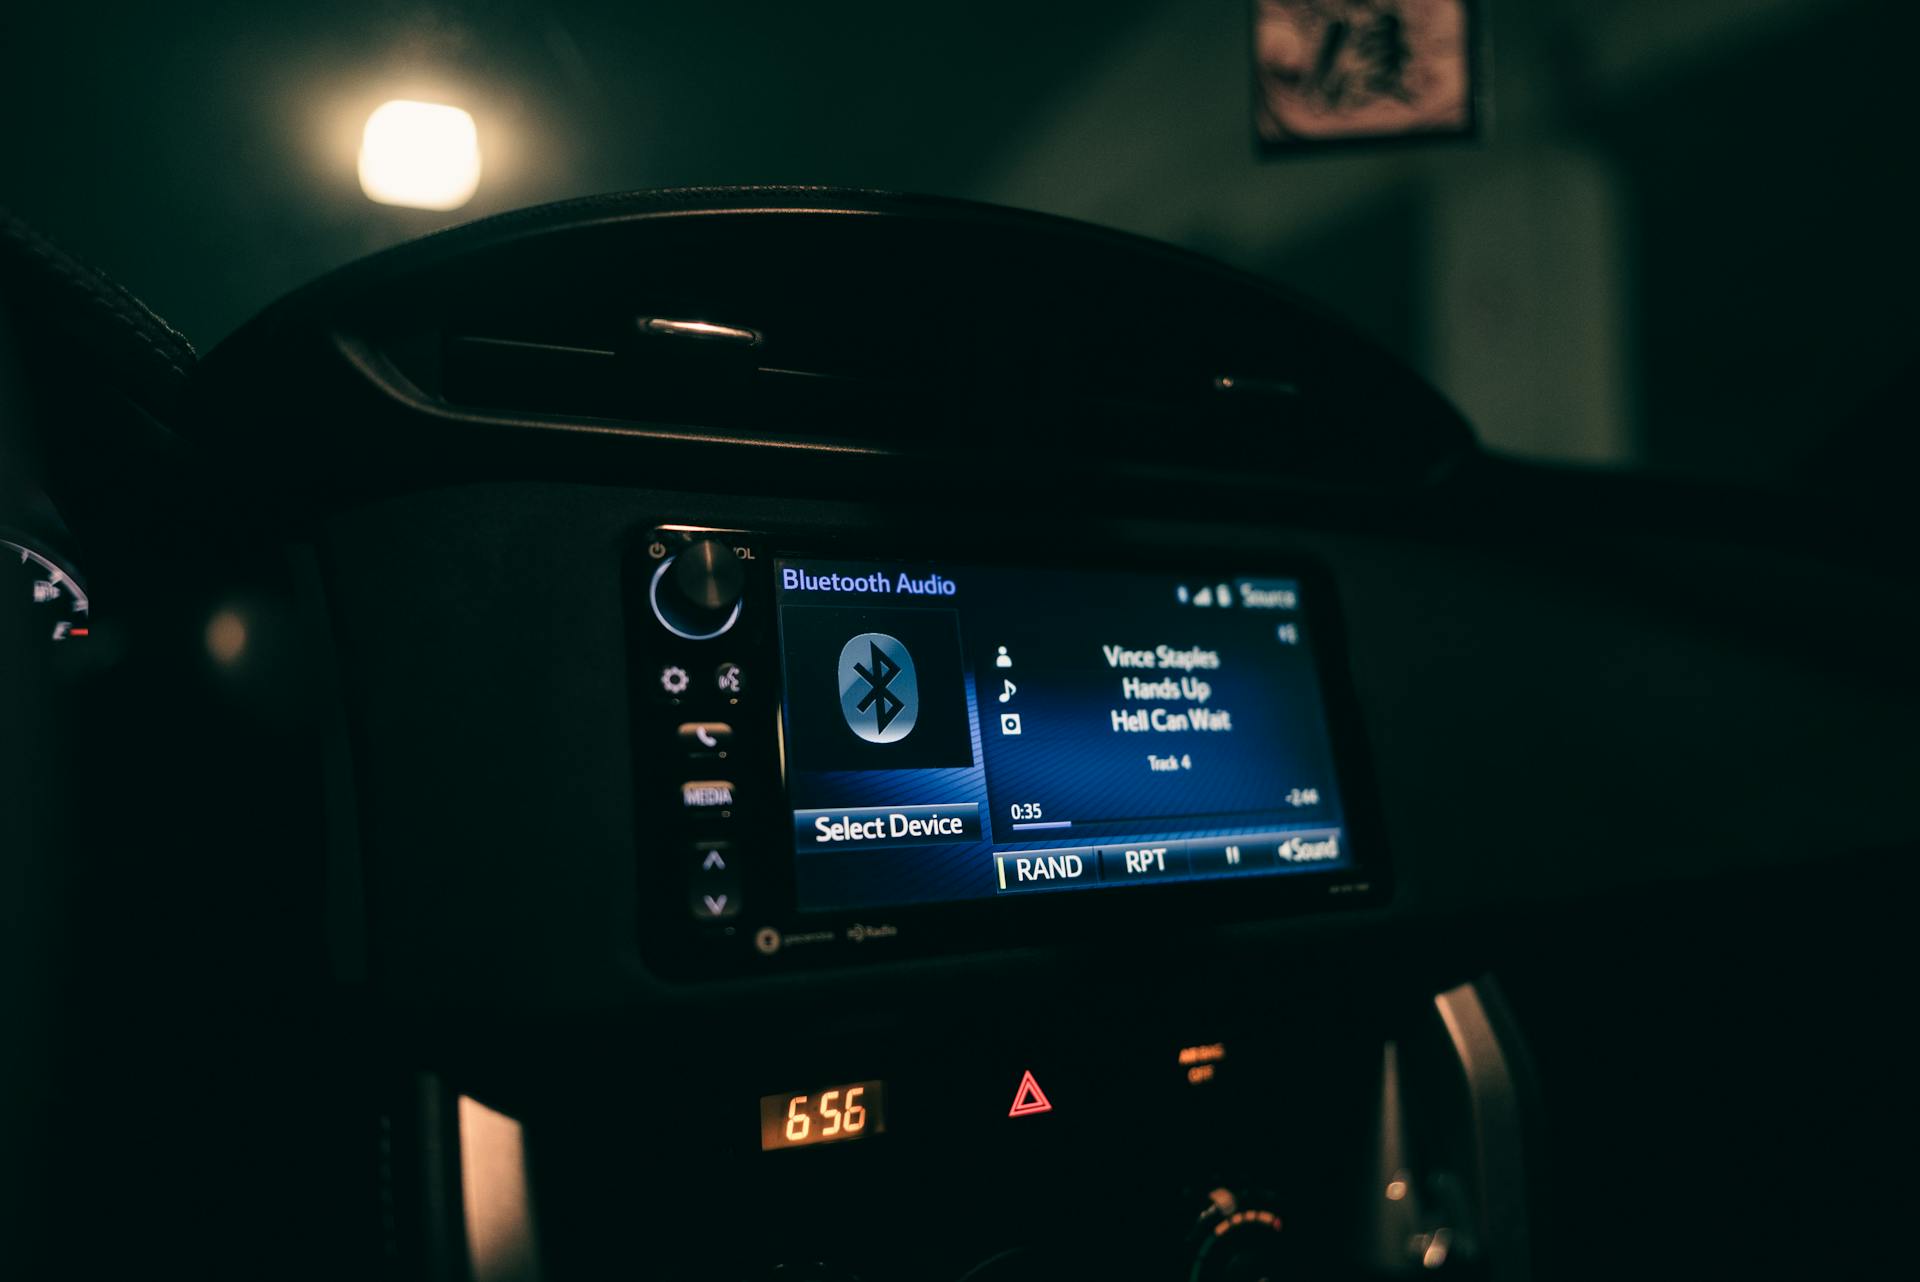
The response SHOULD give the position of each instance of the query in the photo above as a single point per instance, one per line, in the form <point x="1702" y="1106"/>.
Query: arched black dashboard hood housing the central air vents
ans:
<point x="934" y="337"/>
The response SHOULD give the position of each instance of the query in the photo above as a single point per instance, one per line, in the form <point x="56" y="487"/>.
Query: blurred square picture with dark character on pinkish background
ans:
<point x="1330" y="72"/>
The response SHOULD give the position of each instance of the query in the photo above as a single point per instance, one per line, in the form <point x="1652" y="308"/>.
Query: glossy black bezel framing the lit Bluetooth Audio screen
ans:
<point x="775" y="934"/>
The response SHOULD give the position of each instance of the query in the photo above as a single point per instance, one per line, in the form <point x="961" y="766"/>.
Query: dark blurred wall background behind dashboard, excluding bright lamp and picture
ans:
<point x="1685" y="239"/>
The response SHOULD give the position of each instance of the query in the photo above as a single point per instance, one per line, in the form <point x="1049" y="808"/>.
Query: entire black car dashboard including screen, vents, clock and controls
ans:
<point x="807" y="734"/>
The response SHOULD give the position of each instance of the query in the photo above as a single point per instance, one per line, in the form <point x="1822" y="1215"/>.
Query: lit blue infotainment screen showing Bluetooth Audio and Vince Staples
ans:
<point x="963" y="734"/>
